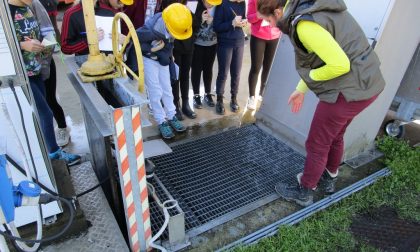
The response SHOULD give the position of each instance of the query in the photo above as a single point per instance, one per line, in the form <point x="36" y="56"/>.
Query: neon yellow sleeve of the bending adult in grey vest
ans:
<point x="319" y="41"/>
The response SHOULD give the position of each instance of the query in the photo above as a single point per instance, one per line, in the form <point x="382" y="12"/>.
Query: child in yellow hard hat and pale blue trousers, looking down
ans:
<point x="156" y="38"/>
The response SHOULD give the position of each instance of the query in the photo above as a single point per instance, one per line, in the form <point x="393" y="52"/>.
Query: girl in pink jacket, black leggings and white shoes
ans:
<point x="264" y="39"/>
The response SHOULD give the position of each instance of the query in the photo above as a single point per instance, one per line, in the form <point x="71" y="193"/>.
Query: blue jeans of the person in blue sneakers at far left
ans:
<point x="44" y="113"/>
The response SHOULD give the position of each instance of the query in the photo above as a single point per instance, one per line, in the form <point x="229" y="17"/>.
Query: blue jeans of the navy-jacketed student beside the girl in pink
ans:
<point x="229" y="58"/>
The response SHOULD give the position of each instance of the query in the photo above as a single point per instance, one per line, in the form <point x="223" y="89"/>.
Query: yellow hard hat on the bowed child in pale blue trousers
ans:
<point x="178" y="20"/>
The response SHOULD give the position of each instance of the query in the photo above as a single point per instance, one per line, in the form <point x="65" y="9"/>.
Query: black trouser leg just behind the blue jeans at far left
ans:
<point x="50" y="89"/>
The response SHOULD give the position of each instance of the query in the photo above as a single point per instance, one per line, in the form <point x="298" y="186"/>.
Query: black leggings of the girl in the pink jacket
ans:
<point x="262" y="54"/>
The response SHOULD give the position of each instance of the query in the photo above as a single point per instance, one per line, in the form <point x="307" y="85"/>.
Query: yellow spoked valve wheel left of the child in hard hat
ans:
<point x="119" y="50"/>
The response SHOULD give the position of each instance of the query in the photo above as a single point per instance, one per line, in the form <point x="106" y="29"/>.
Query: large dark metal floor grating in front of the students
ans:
<point x="213" y="176"/>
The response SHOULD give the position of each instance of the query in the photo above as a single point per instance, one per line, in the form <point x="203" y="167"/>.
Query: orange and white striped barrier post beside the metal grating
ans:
<point x="131" y="168"/>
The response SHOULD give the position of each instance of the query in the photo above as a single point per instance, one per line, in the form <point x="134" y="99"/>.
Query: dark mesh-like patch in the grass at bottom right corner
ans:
<point x="382" y="228"/>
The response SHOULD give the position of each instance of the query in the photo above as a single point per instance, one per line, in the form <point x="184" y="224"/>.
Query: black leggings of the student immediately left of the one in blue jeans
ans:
<point x="203" y="61"/>
